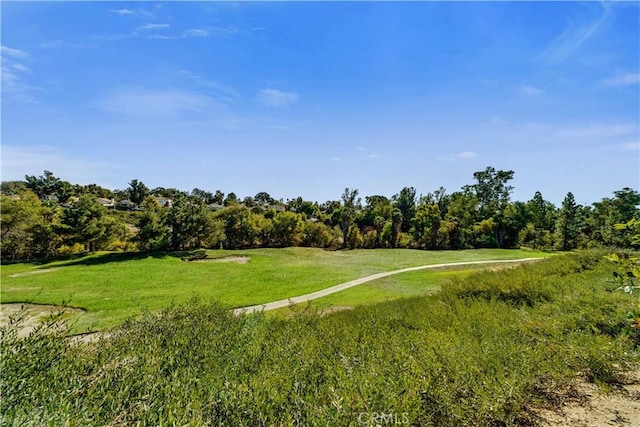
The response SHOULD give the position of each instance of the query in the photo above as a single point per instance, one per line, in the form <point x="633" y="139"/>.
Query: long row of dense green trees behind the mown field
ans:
<point x="44" y="216"/>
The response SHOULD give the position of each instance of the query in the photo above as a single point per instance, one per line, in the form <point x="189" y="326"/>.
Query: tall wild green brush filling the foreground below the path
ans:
<point x="484" y="351"/>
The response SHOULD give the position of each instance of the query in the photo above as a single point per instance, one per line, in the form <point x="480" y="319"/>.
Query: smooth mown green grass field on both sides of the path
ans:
<point x="114" y="286"/>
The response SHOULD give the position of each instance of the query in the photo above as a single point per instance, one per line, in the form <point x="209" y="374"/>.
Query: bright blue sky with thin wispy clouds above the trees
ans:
<point x="305" y="99"/>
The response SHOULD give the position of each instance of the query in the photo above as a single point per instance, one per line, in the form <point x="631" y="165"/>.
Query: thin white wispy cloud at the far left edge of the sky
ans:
<point x="14" y="75"/>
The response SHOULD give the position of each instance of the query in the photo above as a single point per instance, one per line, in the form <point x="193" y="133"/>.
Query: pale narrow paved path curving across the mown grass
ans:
<point x="333" y="289"/>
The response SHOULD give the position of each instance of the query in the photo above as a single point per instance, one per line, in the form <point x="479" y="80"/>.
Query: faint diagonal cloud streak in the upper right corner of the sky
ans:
<point x="578" y="31"/>
